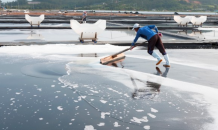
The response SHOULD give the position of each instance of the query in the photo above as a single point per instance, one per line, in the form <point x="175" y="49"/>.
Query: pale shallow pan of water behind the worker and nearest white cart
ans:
<point x="67" y="35"/>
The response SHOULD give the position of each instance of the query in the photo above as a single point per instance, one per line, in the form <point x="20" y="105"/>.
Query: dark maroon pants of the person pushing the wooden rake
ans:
<point x="156" y="41"/>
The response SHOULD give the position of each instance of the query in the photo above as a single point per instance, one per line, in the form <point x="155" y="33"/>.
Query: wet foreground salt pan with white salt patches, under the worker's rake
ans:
<point x="73" y="91"/>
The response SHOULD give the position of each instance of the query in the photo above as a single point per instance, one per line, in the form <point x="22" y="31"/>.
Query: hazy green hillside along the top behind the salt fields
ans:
<point x="159" y="5"/>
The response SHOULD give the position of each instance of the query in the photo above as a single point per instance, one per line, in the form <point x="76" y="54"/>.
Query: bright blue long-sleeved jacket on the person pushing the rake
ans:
<point x="146" y="32"/>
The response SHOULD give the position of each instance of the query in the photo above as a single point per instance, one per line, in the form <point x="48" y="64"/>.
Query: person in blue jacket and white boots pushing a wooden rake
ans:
<point x="153" y="39"/>
